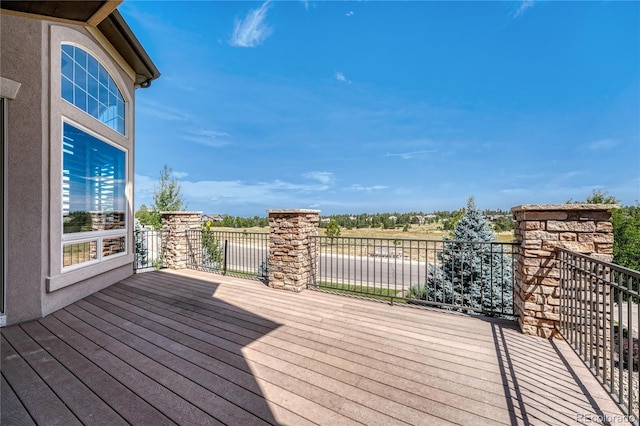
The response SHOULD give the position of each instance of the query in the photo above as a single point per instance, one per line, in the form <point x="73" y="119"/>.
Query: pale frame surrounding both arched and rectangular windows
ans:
<point x="60" y="111"/>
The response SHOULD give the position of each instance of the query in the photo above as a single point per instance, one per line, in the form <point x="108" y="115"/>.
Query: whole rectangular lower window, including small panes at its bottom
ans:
<point x="93" y="198"/>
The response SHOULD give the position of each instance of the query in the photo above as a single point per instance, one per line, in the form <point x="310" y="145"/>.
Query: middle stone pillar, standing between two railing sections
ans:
<point x="292" y="253"/>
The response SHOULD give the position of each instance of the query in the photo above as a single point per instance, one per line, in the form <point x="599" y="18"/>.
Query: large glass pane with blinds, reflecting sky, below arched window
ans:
<point x="94" y="176"/>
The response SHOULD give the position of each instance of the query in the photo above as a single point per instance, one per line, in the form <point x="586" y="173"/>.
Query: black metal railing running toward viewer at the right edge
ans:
<point x="600" y="318"/>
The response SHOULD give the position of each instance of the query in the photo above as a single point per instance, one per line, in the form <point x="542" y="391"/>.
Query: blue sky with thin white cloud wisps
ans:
<point x="352" y="107"/>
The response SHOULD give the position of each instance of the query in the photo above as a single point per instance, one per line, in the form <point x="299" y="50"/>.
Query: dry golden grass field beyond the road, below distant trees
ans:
<point x="421" y="232"/>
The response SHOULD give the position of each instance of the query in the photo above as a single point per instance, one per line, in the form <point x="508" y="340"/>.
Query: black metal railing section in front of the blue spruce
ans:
<point x="462" y="275"/>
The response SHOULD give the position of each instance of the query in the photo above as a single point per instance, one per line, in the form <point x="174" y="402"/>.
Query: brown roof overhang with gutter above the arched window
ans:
<point x="102" y="15"/>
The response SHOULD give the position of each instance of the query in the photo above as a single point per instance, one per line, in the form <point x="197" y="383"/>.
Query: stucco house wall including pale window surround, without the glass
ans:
<point x="34" y="156"/>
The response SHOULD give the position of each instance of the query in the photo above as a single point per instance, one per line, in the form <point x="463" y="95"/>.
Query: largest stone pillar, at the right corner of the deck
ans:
<point x="539" y="230"/>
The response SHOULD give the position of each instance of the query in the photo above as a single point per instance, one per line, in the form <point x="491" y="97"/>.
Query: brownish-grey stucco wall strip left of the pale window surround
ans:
<point x="27" y="218"/>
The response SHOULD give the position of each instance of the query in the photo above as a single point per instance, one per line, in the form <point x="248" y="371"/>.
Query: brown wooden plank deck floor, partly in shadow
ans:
<point x="195" y="348"/>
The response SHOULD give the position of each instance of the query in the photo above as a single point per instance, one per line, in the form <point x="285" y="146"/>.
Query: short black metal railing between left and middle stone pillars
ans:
<point x="241" y="254"/>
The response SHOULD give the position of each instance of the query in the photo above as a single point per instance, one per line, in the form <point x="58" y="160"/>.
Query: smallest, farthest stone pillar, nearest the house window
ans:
<point x="175" y="226"/>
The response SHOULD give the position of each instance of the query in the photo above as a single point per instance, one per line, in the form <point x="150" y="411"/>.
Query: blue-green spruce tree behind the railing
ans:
<point x="472" y="271"/>
